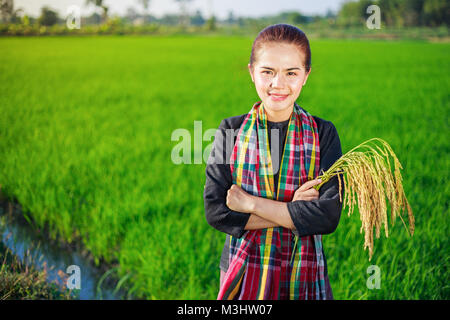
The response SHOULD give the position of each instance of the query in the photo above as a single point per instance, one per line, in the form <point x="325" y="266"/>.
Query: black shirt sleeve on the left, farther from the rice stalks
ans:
<point x="218" y="181"/>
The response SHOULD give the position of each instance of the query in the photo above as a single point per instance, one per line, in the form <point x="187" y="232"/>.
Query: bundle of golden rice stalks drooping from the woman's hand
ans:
<point x="368" y="180"/>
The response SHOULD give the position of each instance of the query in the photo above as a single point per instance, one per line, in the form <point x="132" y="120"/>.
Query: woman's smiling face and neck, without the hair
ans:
<point x="279" y="74"/>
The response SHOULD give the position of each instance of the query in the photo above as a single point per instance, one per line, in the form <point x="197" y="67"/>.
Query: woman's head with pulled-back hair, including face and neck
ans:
<point x="279" y="66"/>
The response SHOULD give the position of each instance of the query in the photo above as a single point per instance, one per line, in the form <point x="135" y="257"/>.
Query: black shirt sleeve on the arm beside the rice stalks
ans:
<point x="321" y="216"/>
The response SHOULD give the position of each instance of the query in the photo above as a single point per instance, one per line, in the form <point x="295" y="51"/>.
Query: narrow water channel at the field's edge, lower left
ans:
<point x="25" y="242"/>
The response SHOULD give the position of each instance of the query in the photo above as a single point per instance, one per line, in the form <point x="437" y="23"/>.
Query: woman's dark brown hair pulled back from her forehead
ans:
<point x="285" y="33"/>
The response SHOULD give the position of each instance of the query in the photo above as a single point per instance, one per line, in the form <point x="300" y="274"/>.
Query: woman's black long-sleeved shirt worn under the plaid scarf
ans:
<point x="319" y="216"/>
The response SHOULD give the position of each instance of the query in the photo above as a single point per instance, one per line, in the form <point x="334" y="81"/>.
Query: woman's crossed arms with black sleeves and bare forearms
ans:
<point x="313" y="215"/>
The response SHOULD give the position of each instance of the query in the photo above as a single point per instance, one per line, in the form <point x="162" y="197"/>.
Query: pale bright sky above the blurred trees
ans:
<point x="220" y="8"/>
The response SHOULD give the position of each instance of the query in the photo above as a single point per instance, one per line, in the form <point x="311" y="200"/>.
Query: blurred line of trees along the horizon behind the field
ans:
<point x="394" y="13"/>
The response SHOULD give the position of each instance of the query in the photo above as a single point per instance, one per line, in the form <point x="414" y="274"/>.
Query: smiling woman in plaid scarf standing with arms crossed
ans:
<point x="264" y="200"/>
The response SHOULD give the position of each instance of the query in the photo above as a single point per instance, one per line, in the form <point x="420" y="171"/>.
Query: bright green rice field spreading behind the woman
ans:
<point x="85" y="148"/>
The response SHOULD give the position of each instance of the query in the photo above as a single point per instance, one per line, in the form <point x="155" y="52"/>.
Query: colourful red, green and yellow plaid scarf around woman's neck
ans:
<point x="260" y="261"/>
